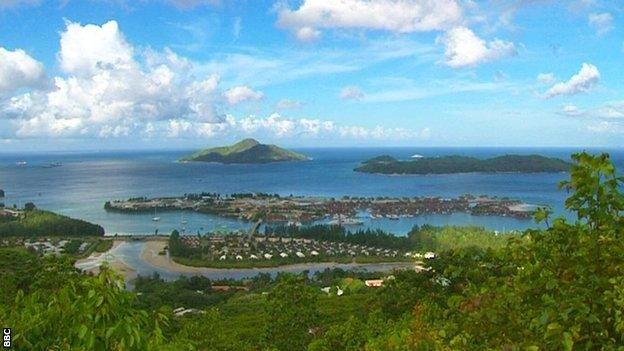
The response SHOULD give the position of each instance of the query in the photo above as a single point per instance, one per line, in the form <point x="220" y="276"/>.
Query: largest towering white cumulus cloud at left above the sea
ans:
<point x="108" y="91"/>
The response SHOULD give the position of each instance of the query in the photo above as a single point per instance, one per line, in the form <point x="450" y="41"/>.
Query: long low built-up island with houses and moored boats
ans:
<point x="340" y="211"/>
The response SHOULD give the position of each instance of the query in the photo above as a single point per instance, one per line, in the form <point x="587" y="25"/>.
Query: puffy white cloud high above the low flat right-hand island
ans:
<point x="464" y="48"/>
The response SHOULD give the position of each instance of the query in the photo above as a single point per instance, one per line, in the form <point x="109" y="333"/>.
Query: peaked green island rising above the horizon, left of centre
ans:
<point x="245" y="151"/>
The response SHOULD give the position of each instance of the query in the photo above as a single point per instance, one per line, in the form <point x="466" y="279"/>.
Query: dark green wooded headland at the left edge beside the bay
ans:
<point x="35" y="222"/>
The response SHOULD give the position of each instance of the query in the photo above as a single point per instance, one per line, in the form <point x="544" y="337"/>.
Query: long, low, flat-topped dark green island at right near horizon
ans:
<point x="462" y="164"/>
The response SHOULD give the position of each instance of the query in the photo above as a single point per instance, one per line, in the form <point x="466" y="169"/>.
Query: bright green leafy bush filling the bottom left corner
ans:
<point x="85" y="313"/>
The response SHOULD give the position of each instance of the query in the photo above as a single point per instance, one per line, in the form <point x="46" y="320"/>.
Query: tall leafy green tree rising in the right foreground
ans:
<point x="564" y="287"/>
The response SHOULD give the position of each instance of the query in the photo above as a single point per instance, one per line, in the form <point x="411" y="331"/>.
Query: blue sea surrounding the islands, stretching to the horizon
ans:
<point x="77" y="184"/>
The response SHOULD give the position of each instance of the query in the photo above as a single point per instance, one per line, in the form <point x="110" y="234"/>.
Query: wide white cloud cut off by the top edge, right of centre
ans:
<point x="404" y="16"/>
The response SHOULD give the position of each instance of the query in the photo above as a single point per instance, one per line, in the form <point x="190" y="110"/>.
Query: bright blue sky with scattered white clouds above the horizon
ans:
<point x="172" y="74"/>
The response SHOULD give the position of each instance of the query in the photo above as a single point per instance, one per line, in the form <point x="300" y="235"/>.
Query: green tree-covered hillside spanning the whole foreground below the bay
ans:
<point x="560" y="287"/>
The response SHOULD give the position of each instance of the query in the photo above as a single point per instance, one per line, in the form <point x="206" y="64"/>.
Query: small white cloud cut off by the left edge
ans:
<point x="19" y="70"/>
